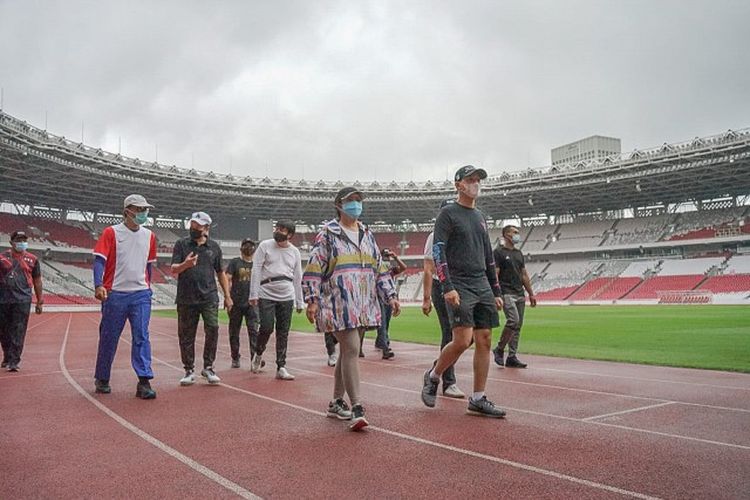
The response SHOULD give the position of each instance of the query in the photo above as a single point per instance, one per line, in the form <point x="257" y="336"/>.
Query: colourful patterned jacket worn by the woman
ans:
<point x="345" y="280"/>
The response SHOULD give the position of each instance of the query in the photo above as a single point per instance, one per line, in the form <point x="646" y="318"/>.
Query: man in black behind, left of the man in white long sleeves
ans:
<point x="238" y="272"/>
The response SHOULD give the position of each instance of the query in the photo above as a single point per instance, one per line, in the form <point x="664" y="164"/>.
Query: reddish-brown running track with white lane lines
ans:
<point x="575" y="429"/>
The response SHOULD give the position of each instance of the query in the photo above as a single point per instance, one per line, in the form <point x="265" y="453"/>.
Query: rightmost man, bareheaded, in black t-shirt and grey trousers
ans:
<point x="511" y="272"/>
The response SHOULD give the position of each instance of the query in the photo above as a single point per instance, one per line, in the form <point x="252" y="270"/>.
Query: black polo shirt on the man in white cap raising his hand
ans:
<point x="197" y="285"/>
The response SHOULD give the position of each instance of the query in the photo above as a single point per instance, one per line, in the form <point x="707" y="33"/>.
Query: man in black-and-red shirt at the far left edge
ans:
<point x="19" y="272"/>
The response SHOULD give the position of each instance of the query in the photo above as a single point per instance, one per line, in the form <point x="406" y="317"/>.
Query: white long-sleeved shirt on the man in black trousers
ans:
<point x="272" y="261"/>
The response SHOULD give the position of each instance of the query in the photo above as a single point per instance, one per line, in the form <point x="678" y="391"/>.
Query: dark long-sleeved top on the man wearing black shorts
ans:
<point x="464" y="251"/>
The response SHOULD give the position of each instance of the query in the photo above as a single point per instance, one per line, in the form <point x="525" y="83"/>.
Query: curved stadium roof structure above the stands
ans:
<point x="41" y="169"/>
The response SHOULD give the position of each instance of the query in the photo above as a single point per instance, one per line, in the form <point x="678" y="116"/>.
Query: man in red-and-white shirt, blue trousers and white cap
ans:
<point x="123" y="260"/>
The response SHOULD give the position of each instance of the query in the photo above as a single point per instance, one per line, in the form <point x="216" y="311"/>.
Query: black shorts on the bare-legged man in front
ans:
<point x="477" y="308"/>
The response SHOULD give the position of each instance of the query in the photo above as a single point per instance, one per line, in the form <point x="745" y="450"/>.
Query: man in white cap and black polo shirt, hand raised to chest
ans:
<point x="196" y="260"/>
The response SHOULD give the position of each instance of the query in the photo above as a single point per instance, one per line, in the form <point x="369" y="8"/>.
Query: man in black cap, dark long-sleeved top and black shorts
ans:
<point x="466" y="269"/>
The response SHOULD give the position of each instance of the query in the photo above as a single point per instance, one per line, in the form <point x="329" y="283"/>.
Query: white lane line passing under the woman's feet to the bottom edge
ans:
<point x="408" y="437"/>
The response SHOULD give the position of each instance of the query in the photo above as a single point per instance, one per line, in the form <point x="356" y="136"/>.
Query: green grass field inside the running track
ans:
<point x="712" y="337"/>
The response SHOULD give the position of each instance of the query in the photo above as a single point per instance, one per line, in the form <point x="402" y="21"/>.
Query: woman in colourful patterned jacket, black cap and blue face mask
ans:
<point x="341" y="282"/>
